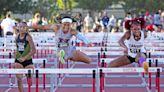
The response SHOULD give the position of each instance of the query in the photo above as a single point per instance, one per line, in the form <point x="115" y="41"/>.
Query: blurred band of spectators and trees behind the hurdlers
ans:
<point x="87" y="15"/>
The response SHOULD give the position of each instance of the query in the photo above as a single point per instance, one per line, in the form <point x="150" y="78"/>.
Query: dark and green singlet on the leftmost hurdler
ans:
<point x="23" y="47"/>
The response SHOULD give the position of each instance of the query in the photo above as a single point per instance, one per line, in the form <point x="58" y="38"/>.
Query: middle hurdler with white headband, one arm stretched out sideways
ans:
<point x="64" y="33"/>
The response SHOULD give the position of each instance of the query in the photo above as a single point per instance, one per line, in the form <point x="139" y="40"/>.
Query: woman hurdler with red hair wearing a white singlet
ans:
<point x="134" y="49"/>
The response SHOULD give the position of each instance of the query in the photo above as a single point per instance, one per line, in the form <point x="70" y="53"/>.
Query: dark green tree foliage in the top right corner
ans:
<point x="140" y="5"/>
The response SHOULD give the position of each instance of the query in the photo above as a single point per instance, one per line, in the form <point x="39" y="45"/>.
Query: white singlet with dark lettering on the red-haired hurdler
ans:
<point x="135" y="46"/>
